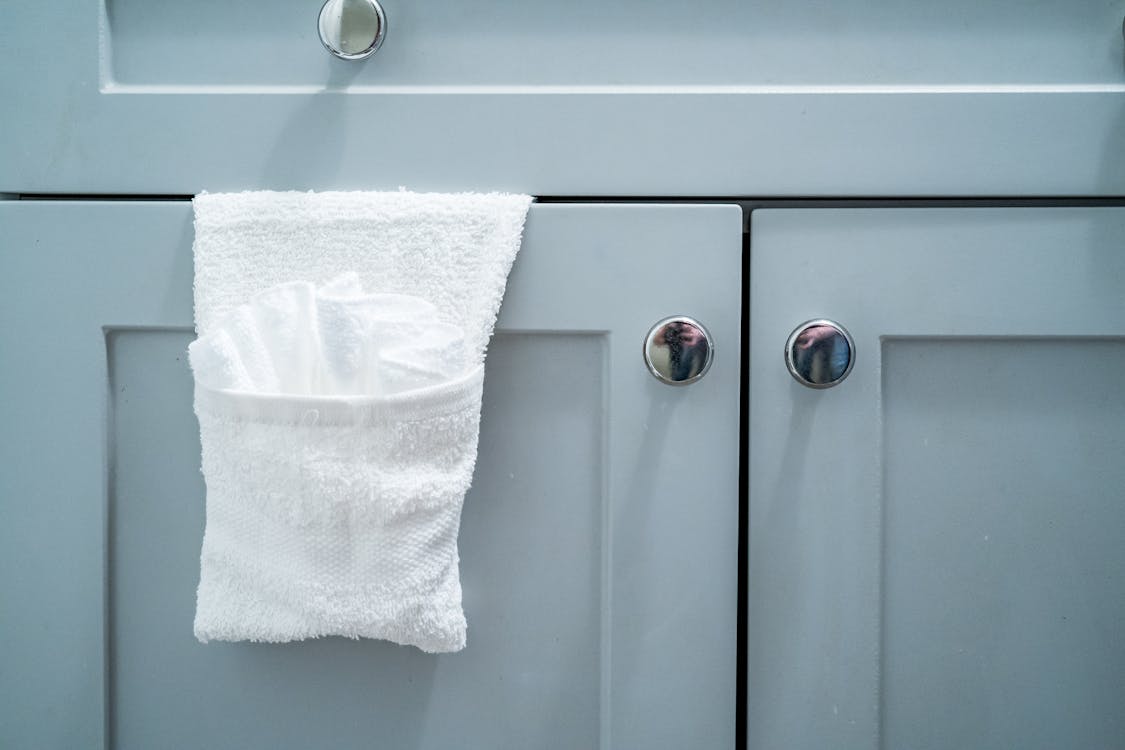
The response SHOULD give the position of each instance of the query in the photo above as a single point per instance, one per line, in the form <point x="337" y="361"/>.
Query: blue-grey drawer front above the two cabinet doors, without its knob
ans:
<point x="734" y="98"/>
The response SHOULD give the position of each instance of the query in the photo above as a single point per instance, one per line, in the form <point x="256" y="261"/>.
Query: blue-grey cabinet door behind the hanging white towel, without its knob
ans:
<point x="599" y="541"/>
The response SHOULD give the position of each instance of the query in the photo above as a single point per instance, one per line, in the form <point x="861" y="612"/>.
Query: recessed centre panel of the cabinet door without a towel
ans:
<point x="1005" y="523"/>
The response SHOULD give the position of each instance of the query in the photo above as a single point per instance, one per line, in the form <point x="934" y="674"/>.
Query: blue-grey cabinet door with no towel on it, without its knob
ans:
<point x="938" y="544"/>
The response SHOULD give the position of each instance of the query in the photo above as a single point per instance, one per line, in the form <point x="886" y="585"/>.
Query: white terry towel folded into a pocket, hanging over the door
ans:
<point x="339" y="374"/>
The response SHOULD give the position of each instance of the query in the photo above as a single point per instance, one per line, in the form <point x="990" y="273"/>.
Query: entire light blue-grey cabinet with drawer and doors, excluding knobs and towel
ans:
<point x="933" y="549"/>
